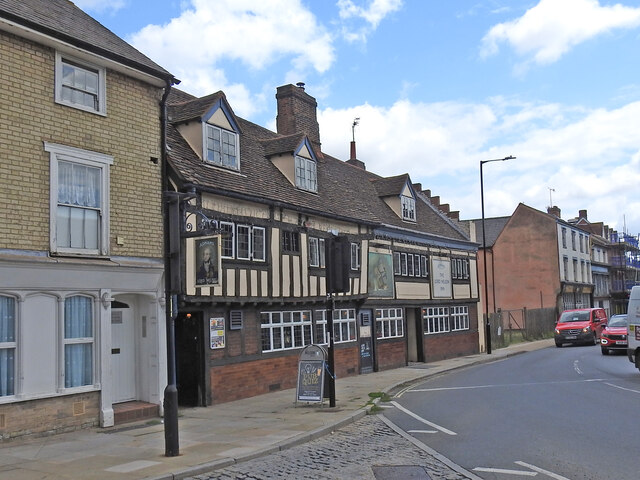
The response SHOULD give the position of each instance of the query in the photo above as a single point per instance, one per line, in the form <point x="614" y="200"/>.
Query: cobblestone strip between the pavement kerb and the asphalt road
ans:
<point x="348" y="453"/>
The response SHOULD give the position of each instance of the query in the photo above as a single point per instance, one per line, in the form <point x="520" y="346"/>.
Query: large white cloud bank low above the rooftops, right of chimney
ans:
<point x="590" y="157"/>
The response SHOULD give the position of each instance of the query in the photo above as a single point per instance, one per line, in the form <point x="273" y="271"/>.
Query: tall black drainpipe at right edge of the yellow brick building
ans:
<point x="172" y="448"/>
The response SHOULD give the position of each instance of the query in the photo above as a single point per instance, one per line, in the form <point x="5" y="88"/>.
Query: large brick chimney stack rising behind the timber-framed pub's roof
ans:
<point x="297" y="113"/>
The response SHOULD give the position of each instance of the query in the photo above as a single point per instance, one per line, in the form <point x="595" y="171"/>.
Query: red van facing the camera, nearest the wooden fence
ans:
<point x="581" y="325"/>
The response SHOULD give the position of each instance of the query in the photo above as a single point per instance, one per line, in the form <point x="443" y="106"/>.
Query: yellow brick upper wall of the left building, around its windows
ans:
<point x="130" y="133"/>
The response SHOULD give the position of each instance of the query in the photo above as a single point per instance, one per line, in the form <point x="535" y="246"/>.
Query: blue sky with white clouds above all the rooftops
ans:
<point x="437" y="86"/>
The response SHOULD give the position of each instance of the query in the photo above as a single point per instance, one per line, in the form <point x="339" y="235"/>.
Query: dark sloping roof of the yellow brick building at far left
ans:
<point x="62" y="20"/>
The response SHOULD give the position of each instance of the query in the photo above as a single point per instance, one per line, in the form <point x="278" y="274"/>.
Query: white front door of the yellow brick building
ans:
<point x="123" y="354"/>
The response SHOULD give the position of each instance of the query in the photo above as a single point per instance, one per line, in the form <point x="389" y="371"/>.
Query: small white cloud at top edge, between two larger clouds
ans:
<point x="373" y="14"/>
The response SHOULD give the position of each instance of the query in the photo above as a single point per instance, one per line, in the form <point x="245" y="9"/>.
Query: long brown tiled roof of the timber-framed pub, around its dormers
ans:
<point x="344" y="191"/>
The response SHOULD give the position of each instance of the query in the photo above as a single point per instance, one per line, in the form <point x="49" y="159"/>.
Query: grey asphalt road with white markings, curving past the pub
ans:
<point x="560" y="413"/>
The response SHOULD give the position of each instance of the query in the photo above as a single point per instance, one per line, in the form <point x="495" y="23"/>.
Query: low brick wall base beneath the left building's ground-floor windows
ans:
<point x="49" y="416"/>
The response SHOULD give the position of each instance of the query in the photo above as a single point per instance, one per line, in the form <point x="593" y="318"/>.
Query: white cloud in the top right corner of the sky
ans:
<point x="551" y="28"/>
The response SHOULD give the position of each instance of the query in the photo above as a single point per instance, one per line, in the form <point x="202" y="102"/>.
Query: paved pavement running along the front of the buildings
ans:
<point x="216" y="436"/>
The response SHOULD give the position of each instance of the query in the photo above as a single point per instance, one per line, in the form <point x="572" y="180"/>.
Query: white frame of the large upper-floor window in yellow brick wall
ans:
<point x="78" y="156"/>
